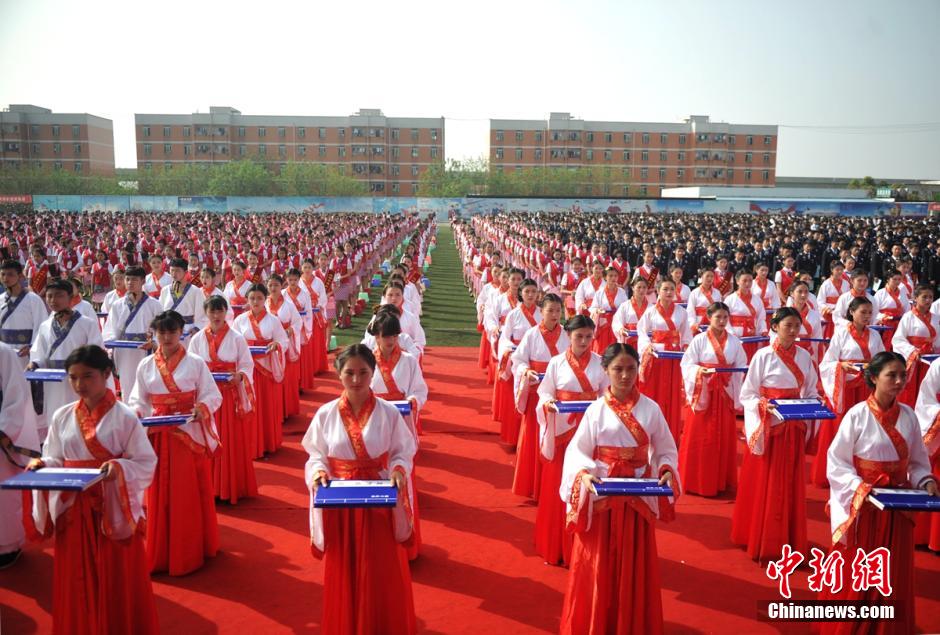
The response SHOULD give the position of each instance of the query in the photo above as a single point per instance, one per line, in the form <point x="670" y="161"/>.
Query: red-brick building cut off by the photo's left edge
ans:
<point x="32" y="136"/>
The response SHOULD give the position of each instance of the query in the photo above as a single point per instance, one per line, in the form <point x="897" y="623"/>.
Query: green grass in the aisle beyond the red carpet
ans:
<point x="449" y="315"/>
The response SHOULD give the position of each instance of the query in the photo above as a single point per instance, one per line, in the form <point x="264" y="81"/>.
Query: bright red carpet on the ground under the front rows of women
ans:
<point x="478" y="572"/>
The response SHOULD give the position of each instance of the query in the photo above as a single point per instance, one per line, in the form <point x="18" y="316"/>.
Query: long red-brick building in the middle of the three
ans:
<point x="389" y="153"/>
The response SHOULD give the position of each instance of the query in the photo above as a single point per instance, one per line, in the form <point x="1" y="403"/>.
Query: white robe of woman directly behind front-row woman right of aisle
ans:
<point x="559" y="376"/>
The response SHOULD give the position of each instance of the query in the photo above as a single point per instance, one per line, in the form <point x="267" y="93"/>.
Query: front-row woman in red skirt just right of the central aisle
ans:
<point x="614" y="582"/>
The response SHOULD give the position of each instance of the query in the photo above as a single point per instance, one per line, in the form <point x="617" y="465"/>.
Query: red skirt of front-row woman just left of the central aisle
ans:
<point x="366" y="579"/>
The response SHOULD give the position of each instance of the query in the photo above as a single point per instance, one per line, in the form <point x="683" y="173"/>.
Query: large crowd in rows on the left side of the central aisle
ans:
<point x="224" y="320"/>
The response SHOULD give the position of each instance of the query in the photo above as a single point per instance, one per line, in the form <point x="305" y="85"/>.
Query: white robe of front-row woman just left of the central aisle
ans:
<point x="384" y="433"/>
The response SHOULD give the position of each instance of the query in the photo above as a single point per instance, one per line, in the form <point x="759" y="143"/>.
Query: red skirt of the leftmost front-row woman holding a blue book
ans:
<point x="100" y="586"/>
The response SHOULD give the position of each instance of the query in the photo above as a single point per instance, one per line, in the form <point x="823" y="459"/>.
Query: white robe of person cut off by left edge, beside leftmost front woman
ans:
<point x="18" y="424"/>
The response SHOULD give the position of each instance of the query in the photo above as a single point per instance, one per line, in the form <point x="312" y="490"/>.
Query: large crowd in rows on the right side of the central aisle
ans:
<point x="674" y="327"/>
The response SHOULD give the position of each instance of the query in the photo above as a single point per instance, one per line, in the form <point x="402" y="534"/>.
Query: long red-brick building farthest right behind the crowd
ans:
<point x="641" y="158"/>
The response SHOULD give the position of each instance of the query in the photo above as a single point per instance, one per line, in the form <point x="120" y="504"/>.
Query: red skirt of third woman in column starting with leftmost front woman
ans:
<point x="233" y="473"/>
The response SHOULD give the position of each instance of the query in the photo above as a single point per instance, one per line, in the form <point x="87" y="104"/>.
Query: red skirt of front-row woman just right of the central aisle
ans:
<point x="613" y="585"/>
